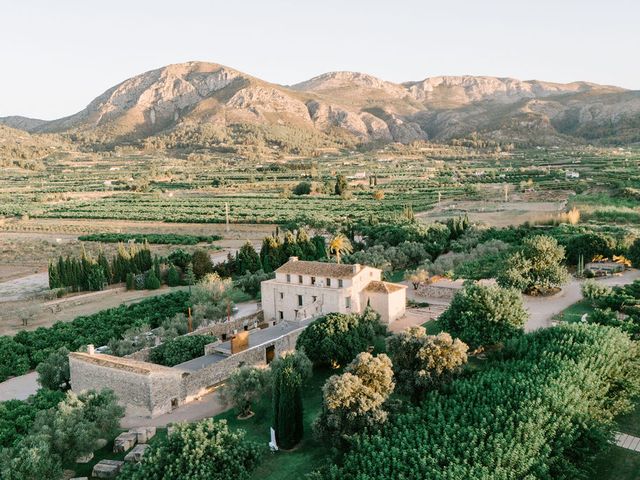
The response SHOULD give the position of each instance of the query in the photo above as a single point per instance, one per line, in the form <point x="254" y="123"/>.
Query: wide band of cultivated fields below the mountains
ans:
<point x="198" y="189"/>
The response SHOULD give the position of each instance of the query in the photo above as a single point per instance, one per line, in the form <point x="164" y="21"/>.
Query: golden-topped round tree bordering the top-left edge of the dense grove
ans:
<point x="422" y="362"/>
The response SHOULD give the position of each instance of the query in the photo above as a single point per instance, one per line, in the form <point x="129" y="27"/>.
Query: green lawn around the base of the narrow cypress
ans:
<point x="308" y="456"/>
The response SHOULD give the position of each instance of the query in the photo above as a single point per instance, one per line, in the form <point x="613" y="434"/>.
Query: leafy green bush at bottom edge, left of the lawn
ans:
<point x="205" y="450"/>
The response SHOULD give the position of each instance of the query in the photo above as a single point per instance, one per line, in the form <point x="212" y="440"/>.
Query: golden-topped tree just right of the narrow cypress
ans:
<point x="354" y="400"/>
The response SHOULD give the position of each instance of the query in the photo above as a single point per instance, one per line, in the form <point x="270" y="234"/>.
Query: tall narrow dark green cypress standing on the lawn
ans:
<point x="289" y="372"/>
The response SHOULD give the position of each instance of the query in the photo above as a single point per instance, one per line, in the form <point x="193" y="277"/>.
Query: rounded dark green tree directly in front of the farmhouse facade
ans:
<point x="337" y="338"/>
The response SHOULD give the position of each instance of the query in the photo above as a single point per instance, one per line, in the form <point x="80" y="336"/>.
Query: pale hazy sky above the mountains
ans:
<point x="56" y="56"/>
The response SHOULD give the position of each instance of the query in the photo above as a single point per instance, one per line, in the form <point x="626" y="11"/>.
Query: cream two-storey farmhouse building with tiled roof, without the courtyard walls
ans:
<point x="303" y="290"/>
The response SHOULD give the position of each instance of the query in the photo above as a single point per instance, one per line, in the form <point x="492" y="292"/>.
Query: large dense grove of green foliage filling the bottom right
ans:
<point x="553" y="393"/>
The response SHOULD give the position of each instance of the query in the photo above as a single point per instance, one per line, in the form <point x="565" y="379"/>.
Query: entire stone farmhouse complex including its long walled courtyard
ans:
<point x="301" y="292"/>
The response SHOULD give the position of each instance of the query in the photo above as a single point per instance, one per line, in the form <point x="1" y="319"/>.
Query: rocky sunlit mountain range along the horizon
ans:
<point x="222" y="104"/>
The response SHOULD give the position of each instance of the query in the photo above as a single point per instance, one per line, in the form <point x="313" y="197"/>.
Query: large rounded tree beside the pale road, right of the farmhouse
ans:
<point x="536" y="268"/>
